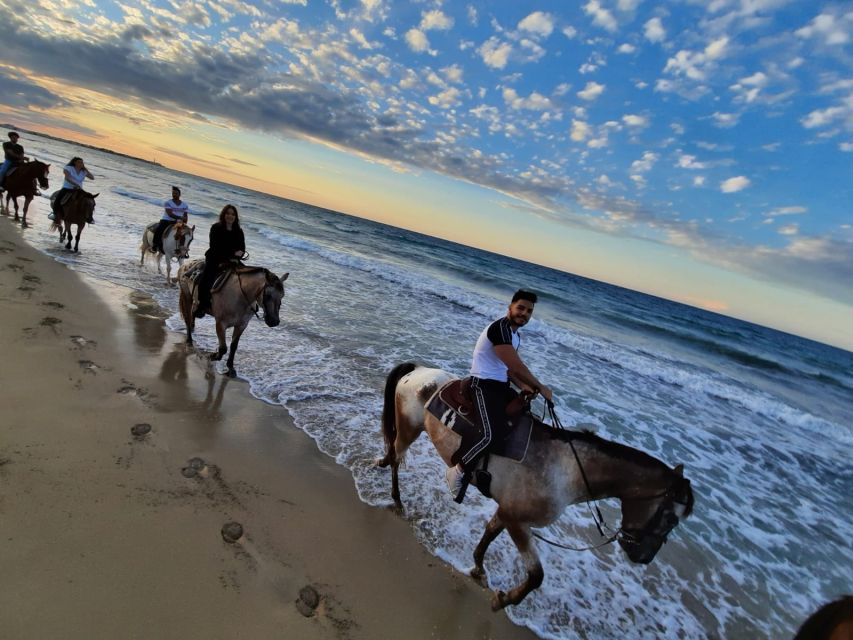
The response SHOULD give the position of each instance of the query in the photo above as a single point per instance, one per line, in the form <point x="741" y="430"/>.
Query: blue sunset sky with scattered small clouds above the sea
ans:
<point x="698" y="150"/>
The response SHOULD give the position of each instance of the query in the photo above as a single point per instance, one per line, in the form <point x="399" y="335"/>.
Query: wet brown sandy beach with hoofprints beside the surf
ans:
<point x="104" y="535"/>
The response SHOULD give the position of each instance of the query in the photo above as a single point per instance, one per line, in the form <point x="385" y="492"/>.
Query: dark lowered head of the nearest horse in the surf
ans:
<point x="646" y="522"/>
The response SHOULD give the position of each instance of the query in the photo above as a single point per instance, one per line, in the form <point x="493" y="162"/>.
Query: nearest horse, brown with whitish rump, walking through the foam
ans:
<point x="560" y="468"/>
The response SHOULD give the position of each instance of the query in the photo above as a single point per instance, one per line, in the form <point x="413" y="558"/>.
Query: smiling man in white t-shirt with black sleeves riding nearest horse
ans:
<point x="494" y="365"/>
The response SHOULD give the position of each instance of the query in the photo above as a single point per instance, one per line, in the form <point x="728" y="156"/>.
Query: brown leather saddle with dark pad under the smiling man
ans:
<point x="453" y="406"/>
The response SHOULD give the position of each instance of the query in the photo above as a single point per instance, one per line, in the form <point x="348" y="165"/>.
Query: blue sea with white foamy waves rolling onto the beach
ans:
<point x="760" y="419"/>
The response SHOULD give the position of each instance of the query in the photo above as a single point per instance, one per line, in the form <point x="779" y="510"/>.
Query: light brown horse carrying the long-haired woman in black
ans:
<point x="245" y="291"/>
